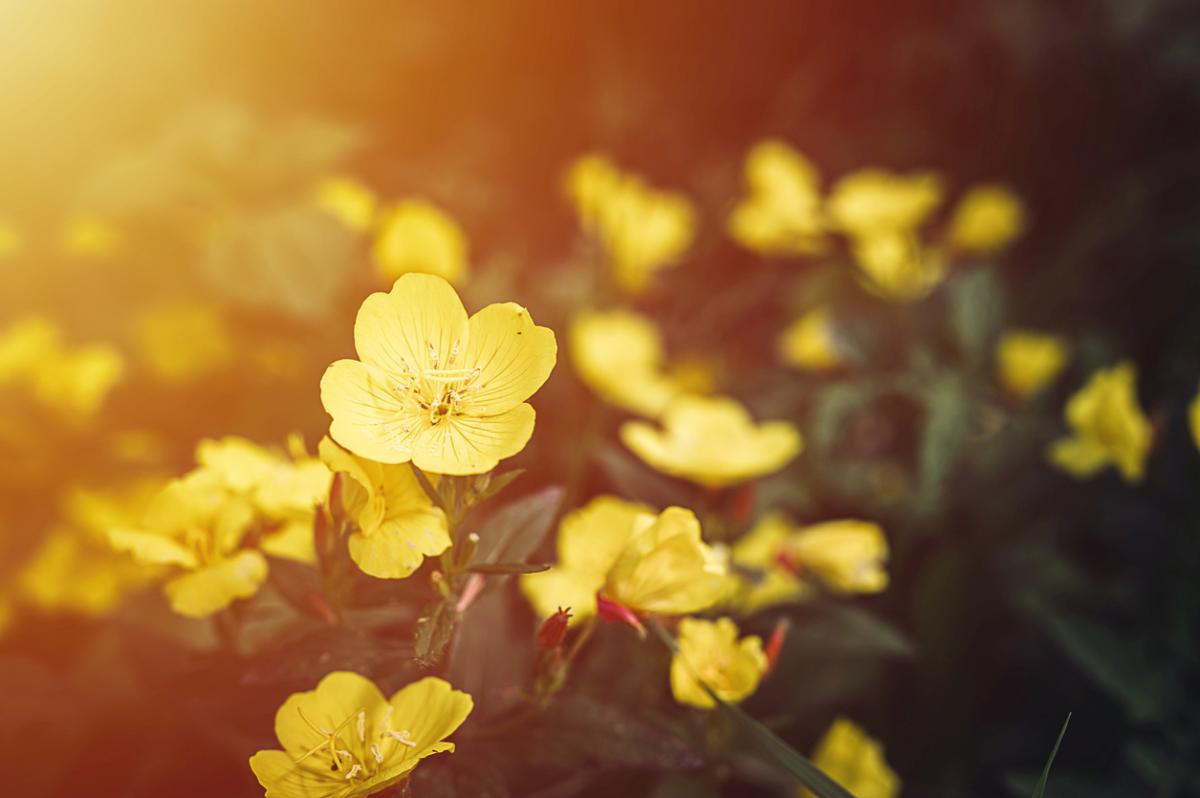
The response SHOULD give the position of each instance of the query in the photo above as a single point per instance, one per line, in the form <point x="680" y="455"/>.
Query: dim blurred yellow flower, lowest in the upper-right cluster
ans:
<point x="896" y="267"/>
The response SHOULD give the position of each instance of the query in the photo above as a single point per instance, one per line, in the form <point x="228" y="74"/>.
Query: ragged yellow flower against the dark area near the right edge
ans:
<point x="1109" y="428"/>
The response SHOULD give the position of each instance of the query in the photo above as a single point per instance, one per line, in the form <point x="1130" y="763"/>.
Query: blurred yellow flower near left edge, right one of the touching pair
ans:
<point x="76" y="383"/>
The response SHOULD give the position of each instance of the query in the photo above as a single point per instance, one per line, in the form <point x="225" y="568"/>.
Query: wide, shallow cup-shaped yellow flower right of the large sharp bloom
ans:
<point x="713" y="442"/>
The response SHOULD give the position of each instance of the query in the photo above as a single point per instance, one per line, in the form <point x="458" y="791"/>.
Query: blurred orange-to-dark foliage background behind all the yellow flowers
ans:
<point x="158" y="169"/>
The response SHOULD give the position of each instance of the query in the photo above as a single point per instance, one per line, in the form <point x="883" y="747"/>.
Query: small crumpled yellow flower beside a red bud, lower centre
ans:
<point x="711" y="652"/>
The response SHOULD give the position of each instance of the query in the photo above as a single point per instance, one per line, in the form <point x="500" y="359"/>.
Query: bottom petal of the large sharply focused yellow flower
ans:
<point x="465" y="445"/>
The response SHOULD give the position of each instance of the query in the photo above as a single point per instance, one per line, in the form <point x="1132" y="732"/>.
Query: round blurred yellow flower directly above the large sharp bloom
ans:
<point x="416" y="236"/>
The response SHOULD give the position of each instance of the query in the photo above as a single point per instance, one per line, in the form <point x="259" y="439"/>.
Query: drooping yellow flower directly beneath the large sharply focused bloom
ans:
<point x="398" y="526"/>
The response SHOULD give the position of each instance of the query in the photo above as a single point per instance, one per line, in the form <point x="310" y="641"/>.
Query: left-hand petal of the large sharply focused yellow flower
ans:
<point x="369" y="418"/>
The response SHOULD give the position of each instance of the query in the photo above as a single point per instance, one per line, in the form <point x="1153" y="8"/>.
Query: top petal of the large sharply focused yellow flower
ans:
<point x="419" y="326"/>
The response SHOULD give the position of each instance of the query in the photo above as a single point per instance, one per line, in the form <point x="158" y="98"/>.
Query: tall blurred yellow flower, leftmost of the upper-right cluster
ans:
<point x="782" y="213"/>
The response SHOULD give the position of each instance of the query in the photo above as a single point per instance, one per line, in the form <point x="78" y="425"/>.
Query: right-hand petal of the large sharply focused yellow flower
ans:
<point x="514" y="356"/>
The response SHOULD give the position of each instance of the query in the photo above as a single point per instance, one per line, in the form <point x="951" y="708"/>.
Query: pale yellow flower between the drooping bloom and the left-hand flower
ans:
<point x="284" y="491"/>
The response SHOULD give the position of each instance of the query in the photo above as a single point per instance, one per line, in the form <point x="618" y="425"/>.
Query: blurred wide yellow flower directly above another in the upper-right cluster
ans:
<point x="873" y="202"/>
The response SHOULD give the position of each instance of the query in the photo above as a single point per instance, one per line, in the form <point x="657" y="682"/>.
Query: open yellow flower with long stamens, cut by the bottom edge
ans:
<point x="344" y="740"/>
